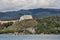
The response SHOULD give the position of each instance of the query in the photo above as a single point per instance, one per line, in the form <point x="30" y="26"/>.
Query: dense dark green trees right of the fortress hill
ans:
<point x="48" y="25"/>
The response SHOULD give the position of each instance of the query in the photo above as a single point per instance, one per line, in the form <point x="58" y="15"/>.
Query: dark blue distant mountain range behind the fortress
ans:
<point x="40" y="12"/>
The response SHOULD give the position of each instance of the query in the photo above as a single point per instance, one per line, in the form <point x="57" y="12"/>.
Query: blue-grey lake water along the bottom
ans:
<point x="29" y="37"/>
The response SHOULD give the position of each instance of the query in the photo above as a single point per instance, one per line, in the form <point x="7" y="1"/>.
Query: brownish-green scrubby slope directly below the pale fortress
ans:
<point x="22" y="25"/>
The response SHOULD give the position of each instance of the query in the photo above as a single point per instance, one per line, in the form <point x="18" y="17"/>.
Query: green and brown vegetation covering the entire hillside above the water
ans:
<point x="46" y="25"/>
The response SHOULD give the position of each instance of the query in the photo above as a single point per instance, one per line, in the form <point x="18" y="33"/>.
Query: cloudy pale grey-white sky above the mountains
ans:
<point x="12" y="5"/>
